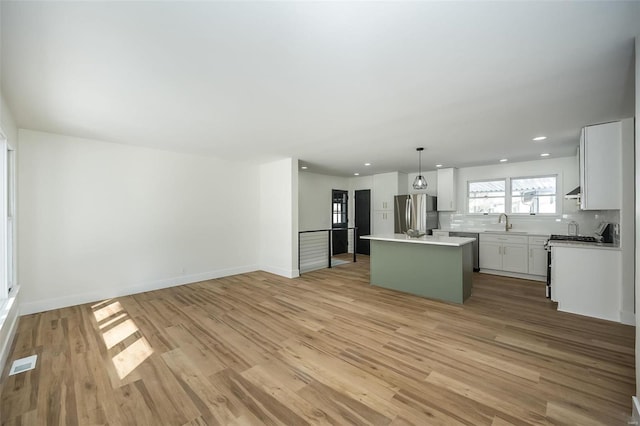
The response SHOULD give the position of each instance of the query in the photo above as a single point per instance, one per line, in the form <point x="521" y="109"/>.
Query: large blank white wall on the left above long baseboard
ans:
<point x="99" y="220"/>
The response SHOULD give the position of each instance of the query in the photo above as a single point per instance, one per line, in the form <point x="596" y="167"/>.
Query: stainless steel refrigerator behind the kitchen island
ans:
<point x="416" y="211"/>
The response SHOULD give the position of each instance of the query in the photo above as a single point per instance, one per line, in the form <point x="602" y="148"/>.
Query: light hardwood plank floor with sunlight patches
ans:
<point x="326" y="348"/>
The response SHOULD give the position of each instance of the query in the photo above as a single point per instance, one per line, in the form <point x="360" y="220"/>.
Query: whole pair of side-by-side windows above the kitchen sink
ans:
<point x="518" y="195"/>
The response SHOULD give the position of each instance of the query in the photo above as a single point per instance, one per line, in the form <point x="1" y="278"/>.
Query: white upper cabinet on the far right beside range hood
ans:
<point x="600" y="167"/>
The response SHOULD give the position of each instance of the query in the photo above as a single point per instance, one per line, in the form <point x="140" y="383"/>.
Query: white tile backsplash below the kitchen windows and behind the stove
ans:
<point x="587" y="222"/>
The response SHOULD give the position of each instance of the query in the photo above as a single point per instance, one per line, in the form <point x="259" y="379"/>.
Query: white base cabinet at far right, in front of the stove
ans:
<point x="587" y="281"/>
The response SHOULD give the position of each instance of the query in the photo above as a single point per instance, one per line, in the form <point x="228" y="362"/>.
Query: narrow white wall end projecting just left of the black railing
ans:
<point x="278" y="224"/>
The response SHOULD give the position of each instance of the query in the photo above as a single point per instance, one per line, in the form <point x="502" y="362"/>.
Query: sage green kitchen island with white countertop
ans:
<point x="430" y="266"/>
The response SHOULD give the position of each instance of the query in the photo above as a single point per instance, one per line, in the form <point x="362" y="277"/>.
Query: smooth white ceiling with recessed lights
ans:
<point x="334" y="84"/>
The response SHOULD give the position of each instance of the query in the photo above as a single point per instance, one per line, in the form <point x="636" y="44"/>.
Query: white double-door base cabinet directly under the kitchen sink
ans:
<point x="503" y="252"/>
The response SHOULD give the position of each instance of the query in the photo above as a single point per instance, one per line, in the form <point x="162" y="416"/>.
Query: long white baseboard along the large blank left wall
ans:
<point x="107" y="293"/>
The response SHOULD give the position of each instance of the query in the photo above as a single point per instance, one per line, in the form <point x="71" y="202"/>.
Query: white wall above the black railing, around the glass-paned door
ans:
<point x="315" y="199"/>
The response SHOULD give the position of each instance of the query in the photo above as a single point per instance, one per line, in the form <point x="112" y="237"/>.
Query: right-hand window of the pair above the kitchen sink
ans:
<point x="533" y="195"/>
